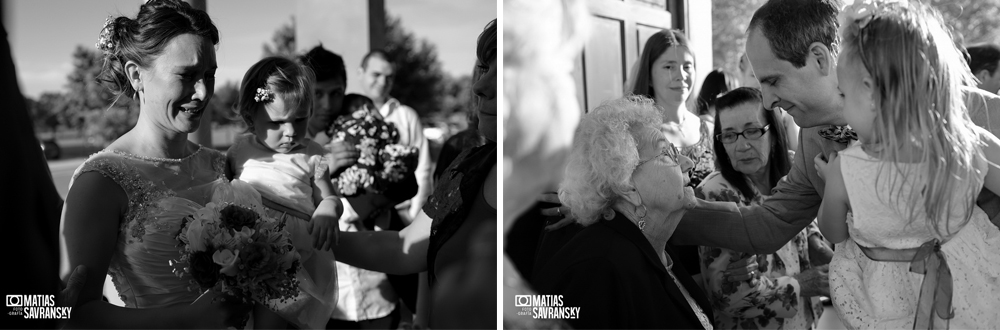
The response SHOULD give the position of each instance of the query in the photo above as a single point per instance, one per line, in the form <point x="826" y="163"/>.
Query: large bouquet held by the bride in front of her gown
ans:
<point x="234" y="248"/>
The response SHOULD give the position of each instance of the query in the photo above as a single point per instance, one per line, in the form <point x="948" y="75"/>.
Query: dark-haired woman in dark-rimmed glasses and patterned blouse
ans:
<point x="762" y="291"/>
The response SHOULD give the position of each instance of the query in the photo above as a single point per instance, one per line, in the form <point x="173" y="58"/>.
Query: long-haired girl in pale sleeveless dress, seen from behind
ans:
<point x="917" y="252"/>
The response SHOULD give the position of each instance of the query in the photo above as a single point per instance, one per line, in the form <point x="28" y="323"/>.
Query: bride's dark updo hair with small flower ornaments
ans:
<point x="141" y="39"/>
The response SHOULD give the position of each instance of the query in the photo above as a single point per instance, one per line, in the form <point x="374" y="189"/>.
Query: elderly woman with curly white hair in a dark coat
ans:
<point x="626" y="184"/>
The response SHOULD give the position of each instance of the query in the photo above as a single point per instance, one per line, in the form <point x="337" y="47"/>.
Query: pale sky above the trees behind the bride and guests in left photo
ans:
<point x="43" y="33"/>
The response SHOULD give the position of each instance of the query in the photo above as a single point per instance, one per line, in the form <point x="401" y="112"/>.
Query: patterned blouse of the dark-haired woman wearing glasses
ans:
<point x="771" y="302"/>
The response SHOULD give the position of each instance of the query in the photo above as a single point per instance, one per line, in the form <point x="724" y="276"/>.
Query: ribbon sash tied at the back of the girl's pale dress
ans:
<point x="934" y="304"/>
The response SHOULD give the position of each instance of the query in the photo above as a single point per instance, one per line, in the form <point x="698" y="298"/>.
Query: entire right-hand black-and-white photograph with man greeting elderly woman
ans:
<point x="761" y="164"/>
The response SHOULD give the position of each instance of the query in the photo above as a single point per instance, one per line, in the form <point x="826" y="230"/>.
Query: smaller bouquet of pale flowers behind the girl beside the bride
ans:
<point x="381" y="159"/>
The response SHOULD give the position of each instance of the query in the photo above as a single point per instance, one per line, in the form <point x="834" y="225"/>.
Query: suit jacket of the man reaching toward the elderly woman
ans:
<point x="795" y="201"/>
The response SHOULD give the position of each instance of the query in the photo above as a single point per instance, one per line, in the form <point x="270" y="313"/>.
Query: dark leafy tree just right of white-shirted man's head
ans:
<point x="420" y="82"/>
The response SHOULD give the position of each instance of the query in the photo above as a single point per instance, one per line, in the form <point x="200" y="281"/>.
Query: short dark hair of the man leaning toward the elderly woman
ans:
<point x="790" y="26"/>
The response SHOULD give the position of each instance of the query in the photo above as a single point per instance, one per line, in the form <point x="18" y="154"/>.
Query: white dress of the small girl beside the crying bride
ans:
<point x="286" y="179"/>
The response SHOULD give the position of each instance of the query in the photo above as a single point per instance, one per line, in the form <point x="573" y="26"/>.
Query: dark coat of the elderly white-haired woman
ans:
<point x="614" y="275"/>
